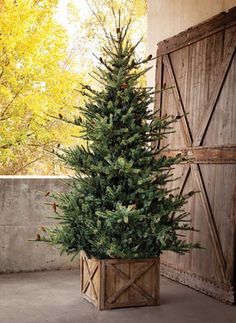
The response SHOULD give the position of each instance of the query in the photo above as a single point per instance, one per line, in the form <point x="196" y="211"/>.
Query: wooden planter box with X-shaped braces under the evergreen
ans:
<point x="112" y="283"/>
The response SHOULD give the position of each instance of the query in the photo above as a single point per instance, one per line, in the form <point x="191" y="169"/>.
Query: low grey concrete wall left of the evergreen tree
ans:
<point x="22" y="213"/>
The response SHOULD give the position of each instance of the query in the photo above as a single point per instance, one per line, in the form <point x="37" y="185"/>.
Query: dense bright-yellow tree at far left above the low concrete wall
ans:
<point x="34" y="83"/>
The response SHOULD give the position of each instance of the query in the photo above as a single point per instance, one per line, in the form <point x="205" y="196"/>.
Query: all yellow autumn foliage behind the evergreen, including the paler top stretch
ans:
<point x="40" y="72"/>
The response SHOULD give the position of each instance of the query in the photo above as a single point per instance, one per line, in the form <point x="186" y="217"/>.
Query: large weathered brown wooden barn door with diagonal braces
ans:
<point x="198" y="70"/>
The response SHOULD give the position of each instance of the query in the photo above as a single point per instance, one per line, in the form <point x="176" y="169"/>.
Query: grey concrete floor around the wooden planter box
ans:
<point x="54" y="297"/>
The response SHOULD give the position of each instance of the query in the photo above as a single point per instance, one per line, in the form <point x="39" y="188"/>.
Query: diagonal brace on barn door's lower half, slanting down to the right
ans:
<point x="210" y="221"/>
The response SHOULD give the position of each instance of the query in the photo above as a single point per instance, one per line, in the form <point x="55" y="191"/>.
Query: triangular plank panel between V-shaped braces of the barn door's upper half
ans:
<point x="205" y="58"/>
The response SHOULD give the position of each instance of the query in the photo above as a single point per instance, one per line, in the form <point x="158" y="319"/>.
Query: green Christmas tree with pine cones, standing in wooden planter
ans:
<point x="119" y="205"/>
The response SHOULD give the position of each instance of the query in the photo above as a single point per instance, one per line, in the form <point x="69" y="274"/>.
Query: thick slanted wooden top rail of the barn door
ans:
<point x="205" y="29"/>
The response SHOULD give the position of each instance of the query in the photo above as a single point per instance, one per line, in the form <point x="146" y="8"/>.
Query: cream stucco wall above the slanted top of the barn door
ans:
<point x="167" y="18"/>
